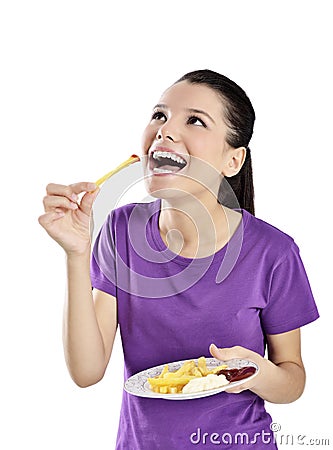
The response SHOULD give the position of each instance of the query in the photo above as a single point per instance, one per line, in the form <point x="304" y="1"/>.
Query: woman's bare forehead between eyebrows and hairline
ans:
<point x="188" y="95"/>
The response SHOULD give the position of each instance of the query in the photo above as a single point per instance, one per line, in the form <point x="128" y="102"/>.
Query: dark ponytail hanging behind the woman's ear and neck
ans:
<point x="242" y="186"/>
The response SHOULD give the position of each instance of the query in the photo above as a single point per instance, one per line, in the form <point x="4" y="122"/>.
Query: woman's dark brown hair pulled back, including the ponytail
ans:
<point x="239" y="116"/>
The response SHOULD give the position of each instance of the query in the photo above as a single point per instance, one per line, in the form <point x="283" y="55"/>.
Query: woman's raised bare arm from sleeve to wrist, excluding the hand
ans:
<point x="89" y="325"/>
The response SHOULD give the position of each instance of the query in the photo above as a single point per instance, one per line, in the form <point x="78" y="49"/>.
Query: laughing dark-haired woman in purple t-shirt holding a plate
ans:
<point x="193" y="273"/>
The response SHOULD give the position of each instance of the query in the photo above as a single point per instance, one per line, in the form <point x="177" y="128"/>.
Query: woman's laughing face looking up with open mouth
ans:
<point x="185" y="142"/>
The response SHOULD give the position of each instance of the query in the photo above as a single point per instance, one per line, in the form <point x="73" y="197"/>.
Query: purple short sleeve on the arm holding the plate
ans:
<point x="290" y="301"/>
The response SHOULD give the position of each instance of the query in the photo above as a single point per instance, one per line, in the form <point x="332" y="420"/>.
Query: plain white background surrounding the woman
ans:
<point x="78" y="81"/>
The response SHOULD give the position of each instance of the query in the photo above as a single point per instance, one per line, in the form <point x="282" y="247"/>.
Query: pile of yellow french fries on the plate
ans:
<point x="173" y="382"/>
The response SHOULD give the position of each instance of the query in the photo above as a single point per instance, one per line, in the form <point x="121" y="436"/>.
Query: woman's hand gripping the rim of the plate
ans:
<point x="225" y="354"/>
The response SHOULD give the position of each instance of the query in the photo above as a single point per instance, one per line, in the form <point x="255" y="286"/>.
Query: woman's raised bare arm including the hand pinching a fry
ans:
<point x="90" y="319"/>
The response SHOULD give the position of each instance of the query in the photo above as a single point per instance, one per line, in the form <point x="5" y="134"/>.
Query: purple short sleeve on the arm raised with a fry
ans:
<point x="103" y="261"/>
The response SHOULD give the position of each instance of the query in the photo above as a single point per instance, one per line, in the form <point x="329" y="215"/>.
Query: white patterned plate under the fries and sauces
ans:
<point x="139" y="386"/>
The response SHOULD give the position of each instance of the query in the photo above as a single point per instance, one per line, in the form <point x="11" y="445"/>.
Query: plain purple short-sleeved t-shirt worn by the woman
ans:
<point x="172" y="308"/>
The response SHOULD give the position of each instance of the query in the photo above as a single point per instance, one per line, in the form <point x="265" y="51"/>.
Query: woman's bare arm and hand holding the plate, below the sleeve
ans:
<point x="281" y="377"/>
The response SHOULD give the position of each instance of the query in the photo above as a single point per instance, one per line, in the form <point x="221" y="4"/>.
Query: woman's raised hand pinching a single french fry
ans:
<point x="66" y="219"/>
